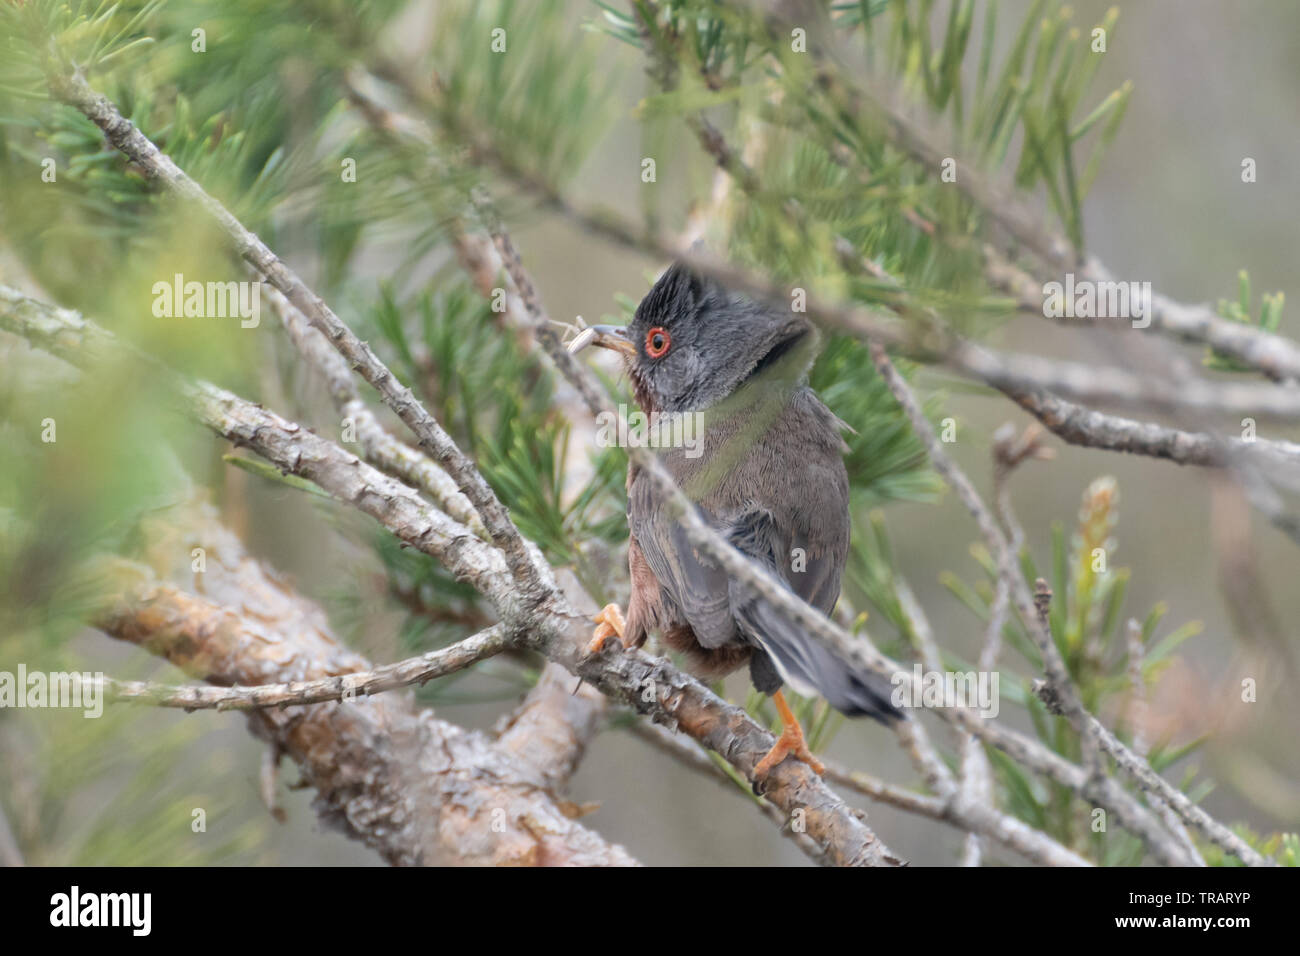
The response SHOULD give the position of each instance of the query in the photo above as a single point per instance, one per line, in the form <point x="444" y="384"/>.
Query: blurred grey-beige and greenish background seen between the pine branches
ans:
<point x="1214" y="84"/>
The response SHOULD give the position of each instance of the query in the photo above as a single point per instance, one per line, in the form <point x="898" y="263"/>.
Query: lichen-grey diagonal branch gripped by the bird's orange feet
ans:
<point x="554" y="630"/>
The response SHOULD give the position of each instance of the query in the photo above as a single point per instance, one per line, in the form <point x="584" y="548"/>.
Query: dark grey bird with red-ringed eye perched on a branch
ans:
<point x="769" y="475"/>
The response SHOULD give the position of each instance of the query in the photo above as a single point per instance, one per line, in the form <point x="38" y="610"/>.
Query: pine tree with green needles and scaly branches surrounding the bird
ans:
<point x="895" y="170"/>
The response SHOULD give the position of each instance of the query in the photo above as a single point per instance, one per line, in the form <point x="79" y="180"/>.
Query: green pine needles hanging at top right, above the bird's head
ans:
<point x="720" y="59"/>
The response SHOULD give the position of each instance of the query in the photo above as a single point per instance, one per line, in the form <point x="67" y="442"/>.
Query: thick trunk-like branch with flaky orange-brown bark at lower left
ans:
<point x="415" y="789"/>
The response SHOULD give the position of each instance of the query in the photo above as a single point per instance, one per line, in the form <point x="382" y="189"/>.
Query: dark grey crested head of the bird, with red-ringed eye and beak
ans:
<point x="692" y="344"/>
